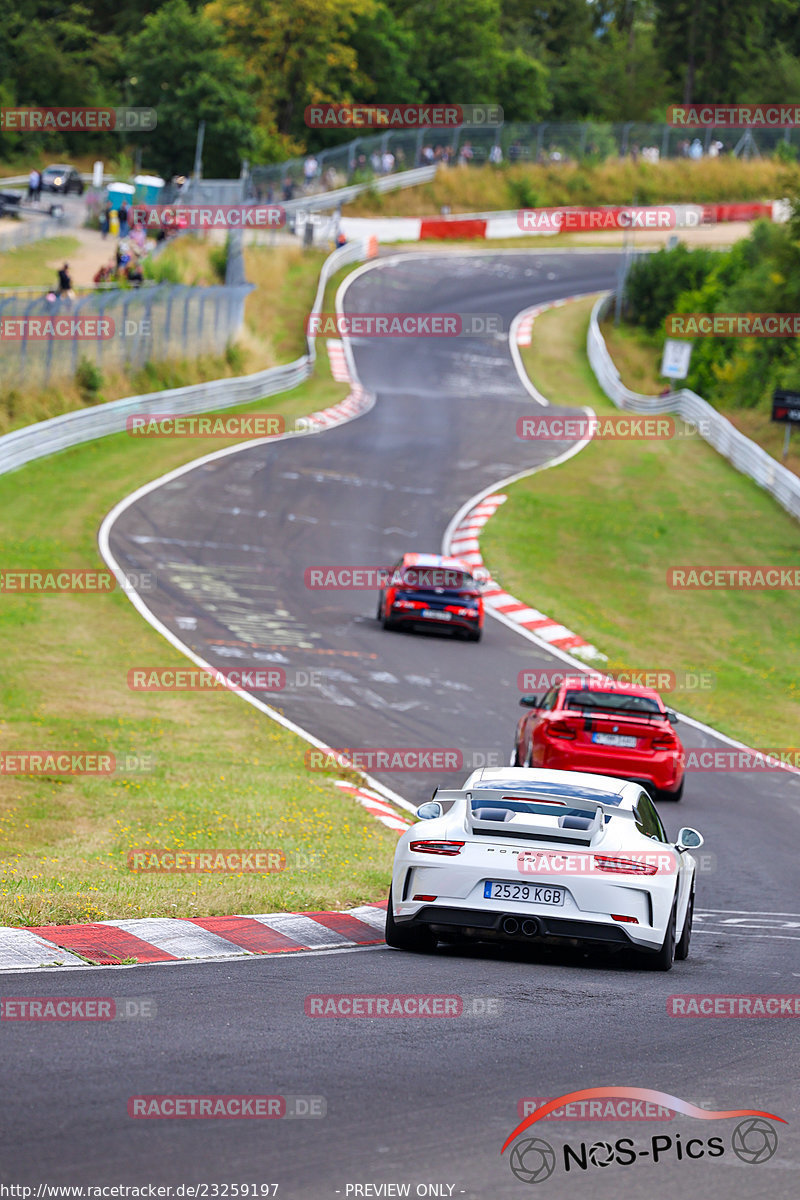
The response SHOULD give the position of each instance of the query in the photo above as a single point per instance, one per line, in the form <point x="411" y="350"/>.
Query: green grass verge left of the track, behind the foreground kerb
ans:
<point x="222" y="776"/>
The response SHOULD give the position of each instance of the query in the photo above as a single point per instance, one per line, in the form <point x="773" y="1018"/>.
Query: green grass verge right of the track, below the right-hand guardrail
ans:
<point x="591" y="542"/>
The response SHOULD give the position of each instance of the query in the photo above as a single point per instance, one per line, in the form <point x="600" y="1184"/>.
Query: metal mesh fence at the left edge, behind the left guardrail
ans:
<point x="45" y="341"/>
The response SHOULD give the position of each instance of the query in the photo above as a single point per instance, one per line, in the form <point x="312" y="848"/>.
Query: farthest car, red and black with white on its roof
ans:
<point x="434" y="591"/>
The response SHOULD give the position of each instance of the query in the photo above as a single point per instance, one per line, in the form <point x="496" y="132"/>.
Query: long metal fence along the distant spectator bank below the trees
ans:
<point x="364" y="159"/>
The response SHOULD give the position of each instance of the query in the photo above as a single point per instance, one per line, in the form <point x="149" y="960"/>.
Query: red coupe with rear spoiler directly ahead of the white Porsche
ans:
<point x="606" y="728"/>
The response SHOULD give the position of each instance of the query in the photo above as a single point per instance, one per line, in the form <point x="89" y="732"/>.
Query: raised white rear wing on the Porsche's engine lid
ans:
<point x="518" y="813"/>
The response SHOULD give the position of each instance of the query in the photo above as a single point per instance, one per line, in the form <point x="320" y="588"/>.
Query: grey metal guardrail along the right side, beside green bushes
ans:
<point x="745" y="455"/>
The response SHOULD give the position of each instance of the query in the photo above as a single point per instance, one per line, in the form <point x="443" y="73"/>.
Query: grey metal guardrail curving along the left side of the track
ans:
<point x="74" y="429"/>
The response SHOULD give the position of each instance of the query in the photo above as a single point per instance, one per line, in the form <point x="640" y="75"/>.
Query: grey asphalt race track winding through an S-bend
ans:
<point x="411" y="1102"/>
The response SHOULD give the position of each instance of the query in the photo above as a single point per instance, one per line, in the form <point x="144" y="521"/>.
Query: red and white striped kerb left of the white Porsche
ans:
<point x="173" y="940"/>
